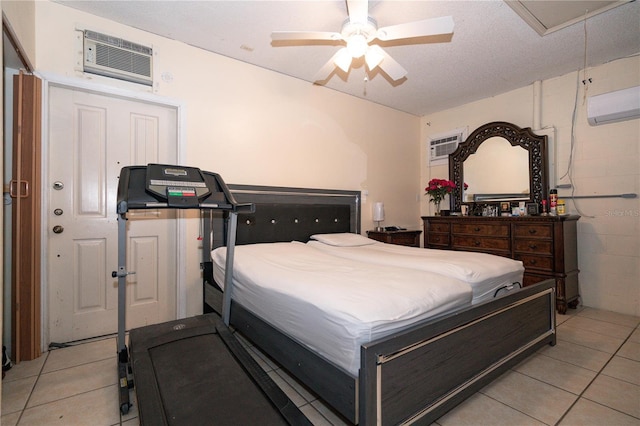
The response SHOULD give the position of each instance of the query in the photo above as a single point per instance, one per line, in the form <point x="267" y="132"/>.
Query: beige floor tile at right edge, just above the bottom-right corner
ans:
<point x="616" y="394"/>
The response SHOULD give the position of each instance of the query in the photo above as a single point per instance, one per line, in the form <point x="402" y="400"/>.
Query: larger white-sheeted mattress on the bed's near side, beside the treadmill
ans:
<point x="331" y="305"/>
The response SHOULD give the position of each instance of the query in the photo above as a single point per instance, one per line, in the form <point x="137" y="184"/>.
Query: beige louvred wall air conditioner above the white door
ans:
<point x="117" y="58"/>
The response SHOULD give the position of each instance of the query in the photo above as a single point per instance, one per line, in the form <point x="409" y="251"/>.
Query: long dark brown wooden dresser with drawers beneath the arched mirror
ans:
<point x="546" y="245"/>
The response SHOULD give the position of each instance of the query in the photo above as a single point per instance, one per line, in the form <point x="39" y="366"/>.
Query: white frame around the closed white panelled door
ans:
<point x="53" y="80"/>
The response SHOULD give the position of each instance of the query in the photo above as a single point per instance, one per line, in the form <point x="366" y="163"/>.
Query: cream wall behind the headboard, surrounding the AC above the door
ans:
<point x="255" y="126"/>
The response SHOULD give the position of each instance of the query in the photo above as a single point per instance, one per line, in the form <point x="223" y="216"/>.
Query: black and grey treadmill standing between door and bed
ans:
<point x="190" y="371"/>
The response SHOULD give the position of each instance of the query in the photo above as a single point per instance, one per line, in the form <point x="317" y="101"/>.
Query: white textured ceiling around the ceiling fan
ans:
<point x="492" y="51"/>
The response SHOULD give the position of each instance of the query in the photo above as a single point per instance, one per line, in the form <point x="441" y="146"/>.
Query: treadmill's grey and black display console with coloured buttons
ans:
<point x="182" y="187"/>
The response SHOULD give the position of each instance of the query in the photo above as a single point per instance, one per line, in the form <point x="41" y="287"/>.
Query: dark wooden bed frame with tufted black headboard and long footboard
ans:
<point x="412" y="376"/>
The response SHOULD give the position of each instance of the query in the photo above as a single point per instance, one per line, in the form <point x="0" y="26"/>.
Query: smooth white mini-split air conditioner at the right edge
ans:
<point x="614" y="106"/>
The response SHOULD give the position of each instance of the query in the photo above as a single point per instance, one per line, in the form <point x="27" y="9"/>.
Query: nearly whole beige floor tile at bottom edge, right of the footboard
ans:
<point x="539" y="400"/>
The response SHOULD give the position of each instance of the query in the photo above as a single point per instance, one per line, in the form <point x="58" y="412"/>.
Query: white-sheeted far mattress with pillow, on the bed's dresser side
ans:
<point x="488" y="275"/>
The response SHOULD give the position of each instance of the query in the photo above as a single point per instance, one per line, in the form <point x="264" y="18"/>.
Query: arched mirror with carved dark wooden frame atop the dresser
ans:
<point x="500" y="162"/>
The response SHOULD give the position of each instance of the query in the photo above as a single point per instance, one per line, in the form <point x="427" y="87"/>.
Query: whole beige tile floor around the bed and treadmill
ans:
<point x="591" y="377"/>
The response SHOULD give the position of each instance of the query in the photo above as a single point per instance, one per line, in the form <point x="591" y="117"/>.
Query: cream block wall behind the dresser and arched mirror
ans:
<point x="606" y="160"/>
